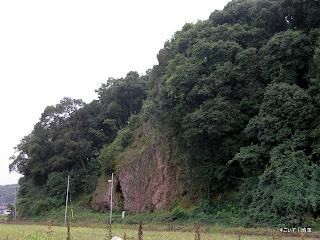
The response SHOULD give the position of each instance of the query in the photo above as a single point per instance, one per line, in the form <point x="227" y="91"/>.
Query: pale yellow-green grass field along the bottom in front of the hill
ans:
<point x="26" y="232"/>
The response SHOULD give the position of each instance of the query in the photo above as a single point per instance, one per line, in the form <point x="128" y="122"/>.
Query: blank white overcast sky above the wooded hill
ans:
<point x="67" y="48"/>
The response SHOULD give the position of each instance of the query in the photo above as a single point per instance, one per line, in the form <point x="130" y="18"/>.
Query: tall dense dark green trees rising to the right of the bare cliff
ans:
<point x="239" y="95"/>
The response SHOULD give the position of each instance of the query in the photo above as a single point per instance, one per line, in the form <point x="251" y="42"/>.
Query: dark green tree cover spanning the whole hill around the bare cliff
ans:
<point x="236" y="96"/>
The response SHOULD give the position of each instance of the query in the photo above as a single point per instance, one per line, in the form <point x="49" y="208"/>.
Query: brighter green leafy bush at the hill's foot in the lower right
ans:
<point x="287" y="190"/>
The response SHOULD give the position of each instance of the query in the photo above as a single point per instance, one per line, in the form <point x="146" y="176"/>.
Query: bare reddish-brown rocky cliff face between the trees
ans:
<point x="145" y="178"/>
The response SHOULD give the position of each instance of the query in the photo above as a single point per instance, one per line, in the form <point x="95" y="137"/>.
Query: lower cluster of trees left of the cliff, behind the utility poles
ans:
<point x="67" y="141"/>
